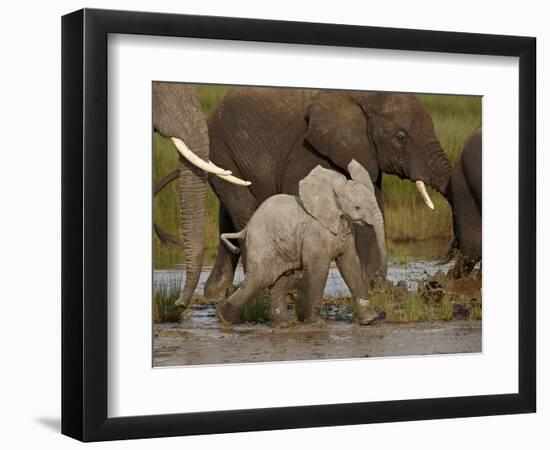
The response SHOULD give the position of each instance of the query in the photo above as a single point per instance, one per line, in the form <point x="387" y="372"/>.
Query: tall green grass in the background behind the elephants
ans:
<point x="411" y="228"/>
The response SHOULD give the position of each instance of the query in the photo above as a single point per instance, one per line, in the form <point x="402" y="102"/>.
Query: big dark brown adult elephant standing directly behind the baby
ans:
<point x="274" y="137"/>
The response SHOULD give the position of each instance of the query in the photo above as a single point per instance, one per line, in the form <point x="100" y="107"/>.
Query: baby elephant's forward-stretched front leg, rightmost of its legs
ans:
<point x="349" y="266"/>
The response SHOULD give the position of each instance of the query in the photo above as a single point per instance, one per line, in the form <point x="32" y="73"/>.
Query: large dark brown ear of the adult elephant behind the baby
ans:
<point x="337" y="129"/>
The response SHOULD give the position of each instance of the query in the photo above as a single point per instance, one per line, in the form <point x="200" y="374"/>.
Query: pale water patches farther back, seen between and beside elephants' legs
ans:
<point x="411" y="273"/>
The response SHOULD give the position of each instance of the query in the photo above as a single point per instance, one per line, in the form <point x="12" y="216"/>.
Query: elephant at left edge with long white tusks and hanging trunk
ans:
<point x="177" y="114"/>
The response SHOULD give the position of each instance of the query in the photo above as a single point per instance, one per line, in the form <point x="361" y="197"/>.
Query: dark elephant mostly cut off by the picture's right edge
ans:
<point x="465" y="199"/>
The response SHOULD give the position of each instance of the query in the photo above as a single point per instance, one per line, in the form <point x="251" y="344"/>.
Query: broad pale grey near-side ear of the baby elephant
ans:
<point x="318" y="198"/>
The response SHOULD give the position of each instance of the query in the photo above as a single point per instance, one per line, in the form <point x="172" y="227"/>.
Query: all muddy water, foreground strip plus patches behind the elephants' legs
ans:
<point x="198" y="338"/>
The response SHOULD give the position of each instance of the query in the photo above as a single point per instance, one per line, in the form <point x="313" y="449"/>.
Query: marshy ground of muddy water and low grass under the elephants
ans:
<point x="421" y="312"/>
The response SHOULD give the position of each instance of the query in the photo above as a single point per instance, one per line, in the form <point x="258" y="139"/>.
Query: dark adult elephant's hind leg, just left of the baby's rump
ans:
<point x="220" y="279"/>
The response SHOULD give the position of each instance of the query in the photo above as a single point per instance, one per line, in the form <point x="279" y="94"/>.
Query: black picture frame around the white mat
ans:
<point x="84" y="224"/>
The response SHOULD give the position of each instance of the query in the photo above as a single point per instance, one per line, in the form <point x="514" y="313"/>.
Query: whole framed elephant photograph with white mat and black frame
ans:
<point x="273" y="225"/>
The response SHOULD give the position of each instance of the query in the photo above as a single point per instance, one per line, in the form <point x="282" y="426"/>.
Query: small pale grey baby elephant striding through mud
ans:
<point x="289" y="233"/>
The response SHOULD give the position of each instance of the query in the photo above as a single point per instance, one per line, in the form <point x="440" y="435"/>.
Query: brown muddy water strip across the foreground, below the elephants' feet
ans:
<point x="177" y="345"/>
